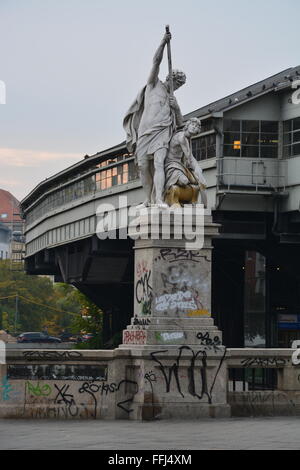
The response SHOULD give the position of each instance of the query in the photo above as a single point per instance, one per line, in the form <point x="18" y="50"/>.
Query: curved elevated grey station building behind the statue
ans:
<point x="249" y="150"/>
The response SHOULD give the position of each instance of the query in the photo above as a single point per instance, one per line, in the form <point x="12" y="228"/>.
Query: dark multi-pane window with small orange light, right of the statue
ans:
<point x="250" y="139"/>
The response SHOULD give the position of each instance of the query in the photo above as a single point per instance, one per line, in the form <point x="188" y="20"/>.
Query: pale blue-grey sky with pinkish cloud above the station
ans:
<point x="72" y="68"/>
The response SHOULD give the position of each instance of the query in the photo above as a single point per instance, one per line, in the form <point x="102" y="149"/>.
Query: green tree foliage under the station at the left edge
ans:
<point x="43" y="305"/>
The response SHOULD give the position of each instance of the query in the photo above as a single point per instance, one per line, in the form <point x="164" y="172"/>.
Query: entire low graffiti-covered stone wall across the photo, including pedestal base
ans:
<point x="128" y="384"/>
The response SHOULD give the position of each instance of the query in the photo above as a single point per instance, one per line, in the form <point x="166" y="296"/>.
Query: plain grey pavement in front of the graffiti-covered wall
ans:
<point x="222" y="434"/>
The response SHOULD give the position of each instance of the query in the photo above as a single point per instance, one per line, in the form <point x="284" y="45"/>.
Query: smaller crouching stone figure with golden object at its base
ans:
<point x="184" y="178"/>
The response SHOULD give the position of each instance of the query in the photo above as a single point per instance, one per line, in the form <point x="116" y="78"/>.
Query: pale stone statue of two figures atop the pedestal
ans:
<point x="170" y="174"/>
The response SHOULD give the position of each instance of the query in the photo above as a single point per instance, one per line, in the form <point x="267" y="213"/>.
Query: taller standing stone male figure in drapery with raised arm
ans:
<point x="150" y="124"/>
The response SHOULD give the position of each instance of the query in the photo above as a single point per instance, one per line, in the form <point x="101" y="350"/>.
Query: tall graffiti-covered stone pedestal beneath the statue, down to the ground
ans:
<point x="177" y="352"/>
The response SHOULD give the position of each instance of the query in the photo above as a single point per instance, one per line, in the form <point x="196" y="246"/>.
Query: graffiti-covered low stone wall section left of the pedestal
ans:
<point x="63" y="384"/>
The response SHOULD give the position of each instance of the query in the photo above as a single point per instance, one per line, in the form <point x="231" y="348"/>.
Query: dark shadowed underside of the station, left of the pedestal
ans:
<point x="101" y="269"/>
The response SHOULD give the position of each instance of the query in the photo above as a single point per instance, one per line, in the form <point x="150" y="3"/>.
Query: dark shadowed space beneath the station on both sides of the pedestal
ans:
<point x="255" y="278"/>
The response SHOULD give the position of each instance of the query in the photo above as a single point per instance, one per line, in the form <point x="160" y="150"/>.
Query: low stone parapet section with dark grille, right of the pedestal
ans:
<point x="263" y="382"/>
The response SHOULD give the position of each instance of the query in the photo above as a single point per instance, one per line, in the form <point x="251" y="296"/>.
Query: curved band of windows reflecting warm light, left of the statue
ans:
<point x="106" y="174"/>
